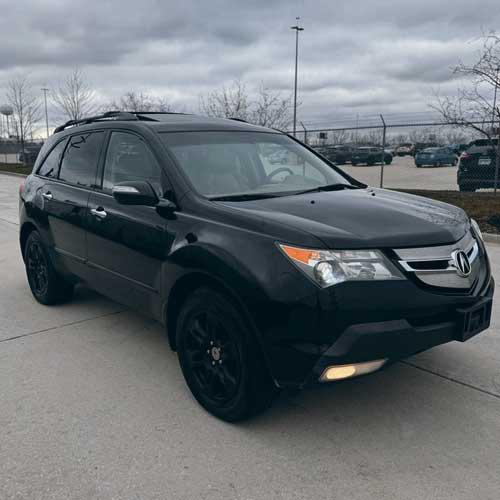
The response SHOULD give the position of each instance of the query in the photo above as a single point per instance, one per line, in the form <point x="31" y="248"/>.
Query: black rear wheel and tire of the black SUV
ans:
<point x="46" y="285"/>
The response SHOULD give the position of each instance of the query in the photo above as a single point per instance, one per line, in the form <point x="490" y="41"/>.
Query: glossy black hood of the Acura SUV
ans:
<point x="364" y="218"/>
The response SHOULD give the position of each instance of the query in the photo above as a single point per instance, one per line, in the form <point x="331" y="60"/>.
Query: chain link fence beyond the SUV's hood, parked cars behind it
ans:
<point x="418" y="154"/>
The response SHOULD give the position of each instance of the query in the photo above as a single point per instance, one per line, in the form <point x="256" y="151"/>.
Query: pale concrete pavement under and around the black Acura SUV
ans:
<point x="93" y="406"/>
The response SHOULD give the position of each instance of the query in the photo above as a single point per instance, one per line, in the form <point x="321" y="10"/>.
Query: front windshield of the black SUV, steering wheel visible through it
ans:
<point x="233" y="163"/>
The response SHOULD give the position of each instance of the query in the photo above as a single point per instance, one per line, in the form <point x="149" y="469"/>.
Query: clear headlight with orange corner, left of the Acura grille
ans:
<point x="331" y="267"/>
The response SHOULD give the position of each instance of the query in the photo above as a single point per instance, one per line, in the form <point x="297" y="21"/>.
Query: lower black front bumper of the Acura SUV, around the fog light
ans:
<point x="302" y="364"/>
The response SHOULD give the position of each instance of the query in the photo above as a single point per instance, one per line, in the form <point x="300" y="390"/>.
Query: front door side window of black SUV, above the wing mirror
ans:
<point x="130" y="159"/>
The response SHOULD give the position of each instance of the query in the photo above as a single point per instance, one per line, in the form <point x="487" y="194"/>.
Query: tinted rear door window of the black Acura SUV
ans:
<point x="80" y="159"/>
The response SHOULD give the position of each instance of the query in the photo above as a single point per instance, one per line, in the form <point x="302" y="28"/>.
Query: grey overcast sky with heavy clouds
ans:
<point x="356" y="56"/>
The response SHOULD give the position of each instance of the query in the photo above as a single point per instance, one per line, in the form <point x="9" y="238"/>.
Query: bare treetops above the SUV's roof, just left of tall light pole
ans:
<point x="267" y="108"/>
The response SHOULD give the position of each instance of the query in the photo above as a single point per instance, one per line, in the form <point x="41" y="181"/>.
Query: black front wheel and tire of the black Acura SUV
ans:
<point x="219" y="356"/>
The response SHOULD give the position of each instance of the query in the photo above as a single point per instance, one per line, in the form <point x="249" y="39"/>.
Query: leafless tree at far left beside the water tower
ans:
<point x="26" y="106"/>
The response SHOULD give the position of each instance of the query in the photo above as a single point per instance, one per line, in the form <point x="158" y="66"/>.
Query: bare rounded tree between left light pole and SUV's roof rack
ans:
<point x="74" y="96"/>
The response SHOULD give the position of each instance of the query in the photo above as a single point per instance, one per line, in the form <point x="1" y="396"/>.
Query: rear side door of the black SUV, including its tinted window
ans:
<point x="65" y="196"/>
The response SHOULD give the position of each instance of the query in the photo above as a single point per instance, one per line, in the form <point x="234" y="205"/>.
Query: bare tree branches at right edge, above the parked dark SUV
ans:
<point x="472" y="107"/>
